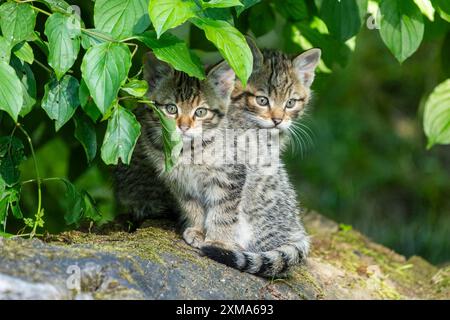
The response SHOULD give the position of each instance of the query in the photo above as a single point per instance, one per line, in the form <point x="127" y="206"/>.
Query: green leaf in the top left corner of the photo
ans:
<point x="17" y="21"/>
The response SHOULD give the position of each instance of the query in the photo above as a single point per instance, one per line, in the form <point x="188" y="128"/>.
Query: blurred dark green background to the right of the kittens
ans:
<point x="369" y="166"/>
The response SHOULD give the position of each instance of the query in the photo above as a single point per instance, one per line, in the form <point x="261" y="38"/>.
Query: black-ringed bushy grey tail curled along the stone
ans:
<point x="272" y="263"/>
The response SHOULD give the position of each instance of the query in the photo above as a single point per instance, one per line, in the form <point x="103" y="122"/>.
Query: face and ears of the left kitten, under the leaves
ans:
<point x="198" y="107"/>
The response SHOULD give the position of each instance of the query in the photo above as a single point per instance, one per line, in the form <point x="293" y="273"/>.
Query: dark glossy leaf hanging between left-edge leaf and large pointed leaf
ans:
<point x="61" y="99"/>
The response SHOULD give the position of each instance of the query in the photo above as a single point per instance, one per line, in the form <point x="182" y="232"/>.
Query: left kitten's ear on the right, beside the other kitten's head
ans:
<point x="221" y="78"/>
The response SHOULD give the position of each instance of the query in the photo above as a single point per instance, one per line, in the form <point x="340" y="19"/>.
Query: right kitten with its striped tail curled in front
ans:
<point x="261" y="232"/>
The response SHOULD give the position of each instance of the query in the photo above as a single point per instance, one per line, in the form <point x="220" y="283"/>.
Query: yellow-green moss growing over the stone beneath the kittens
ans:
<point x="343" y="264"/>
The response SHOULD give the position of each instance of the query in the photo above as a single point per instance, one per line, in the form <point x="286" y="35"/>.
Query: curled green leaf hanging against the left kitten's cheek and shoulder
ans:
<point x="172" y="142"/>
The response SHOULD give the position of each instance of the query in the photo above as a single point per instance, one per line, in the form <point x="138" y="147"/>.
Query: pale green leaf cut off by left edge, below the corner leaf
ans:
<point x="11" y="92"/>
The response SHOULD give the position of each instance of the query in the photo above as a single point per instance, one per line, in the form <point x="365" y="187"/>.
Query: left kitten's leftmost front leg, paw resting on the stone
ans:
<point x="194" y="217"/>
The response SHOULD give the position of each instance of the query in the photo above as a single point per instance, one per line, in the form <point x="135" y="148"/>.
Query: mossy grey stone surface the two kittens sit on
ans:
<point x="154" y="263"/>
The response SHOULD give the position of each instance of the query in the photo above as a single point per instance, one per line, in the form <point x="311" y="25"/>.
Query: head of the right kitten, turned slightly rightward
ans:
<point x="279" y="88"/>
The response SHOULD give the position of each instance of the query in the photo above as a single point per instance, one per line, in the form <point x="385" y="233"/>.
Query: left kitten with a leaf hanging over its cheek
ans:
<point x="199" y="109"/>
